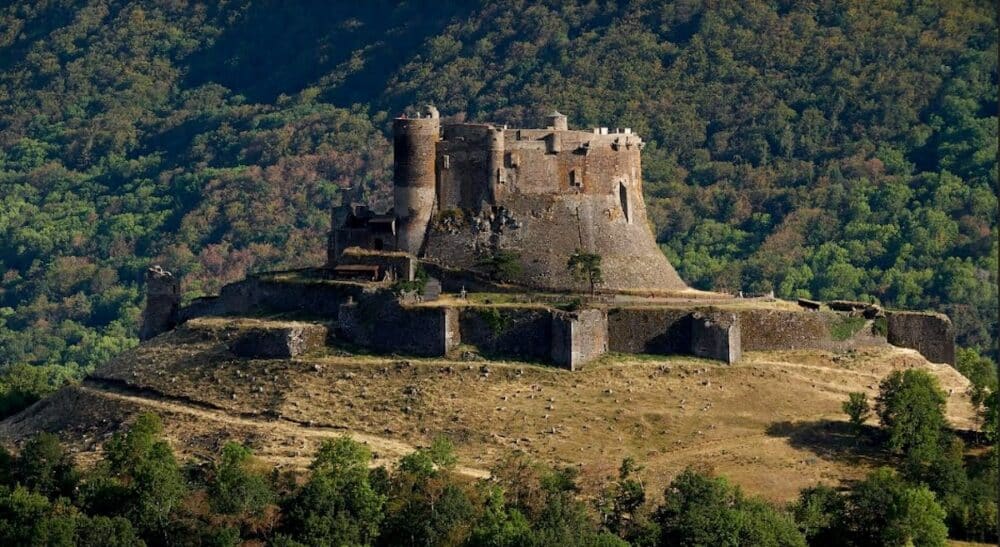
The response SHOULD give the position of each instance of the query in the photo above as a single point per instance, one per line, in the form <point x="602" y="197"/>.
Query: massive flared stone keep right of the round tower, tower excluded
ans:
<point x="554" y="191"/>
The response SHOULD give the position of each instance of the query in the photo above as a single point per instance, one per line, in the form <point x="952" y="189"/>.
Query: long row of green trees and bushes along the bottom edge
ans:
<point x="137" y="496"/>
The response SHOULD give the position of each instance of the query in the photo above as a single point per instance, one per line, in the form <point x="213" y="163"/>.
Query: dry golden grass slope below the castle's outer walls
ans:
<point x="772" y="423"/>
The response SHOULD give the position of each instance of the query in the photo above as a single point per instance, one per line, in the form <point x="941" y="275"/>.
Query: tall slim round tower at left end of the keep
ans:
<point x="414" y="147"/>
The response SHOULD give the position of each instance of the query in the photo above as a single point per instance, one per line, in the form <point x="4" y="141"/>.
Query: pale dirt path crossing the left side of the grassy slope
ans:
<point x="279" y="428"/>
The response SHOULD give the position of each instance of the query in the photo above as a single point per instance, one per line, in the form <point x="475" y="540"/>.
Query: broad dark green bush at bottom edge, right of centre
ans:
<point x="702" y="510"/>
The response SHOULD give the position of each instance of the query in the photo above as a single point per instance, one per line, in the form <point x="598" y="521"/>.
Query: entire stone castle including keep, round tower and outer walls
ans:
<point x="412" y="281"/>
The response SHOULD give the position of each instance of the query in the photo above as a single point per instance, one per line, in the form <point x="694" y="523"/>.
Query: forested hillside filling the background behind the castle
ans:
<point x="825" y="149"/>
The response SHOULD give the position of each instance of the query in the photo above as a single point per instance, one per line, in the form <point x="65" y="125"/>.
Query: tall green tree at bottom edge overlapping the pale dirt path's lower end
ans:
<point x="338" y="505"/>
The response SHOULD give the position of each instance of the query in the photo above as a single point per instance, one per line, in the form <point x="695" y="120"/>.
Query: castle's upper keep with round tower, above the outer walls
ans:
<point x="464" y="192"/>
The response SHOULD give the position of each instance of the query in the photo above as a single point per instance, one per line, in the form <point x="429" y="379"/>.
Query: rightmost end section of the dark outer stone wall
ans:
<point x="932" y="334"/>
